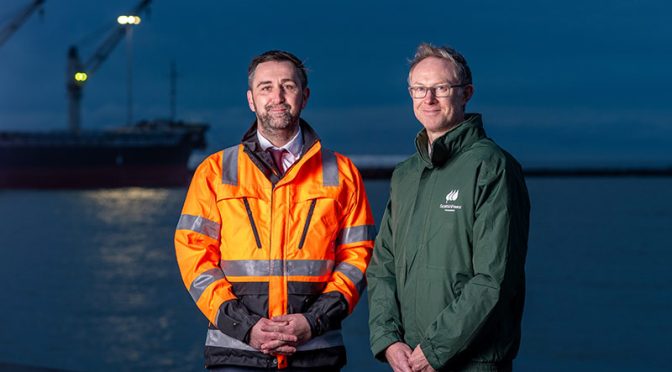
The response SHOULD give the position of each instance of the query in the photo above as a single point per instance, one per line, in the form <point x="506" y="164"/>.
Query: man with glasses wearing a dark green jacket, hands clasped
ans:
<point x="447" y="279"/>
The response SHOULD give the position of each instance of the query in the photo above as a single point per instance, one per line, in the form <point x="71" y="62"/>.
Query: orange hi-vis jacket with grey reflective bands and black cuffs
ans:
<point x="253" y="243"/>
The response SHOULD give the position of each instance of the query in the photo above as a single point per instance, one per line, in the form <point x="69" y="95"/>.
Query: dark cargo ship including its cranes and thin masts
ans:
<point x="149" y="153"/>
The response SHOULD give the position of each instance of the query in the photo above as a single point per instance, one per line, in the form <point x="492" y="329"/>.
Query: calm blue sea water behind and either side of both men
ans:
<point x="89" y="280"/>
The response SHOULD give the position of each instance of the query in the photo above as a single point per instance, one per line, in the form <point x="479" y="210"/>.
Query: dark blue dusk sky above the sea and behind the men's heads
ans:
<point x="558" y="83"/>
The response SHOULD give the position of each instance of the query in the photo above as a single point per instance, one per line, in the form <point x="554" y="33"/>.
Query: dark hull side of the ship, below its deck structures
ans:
<point x="88" y="167"/>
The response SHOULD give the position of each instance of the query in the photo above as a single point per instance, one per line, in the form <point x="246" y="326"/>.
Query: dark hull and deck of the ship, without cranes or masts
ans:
<point x="148" y="154"/>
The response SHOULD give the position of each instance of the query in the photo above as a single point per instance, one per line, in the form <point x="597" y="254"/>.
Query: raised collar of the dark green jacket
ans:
<point x="451" y="143"/>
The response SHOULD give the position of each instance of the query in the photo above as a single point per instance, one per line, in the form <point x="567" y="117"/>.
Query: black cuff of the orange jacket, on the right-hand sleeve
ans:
<point x="326" y="313"/>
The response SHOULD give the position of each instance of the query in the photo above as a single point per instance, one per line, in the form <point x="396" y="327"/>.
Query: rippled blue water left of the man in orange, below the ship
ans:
<point x="94" y="282"/>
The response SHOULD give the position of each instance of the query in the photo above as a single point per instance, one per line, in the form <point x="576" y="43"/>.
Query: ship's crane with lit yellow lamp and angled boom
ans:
<point x="79" y="72"/>
